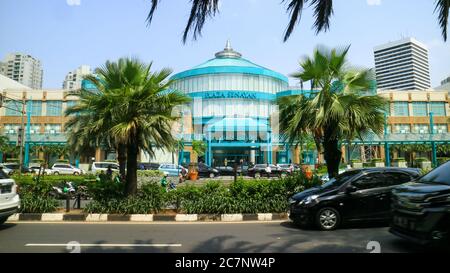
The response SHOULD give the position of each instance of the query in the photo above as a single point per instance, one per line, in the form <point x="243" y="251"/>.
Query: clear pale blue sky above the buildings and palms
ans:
<point x="65" y="34"/>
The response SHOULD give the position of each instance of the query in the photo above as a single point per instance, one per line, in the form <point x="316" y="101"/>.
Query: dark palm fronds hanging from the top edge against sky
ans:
<point x="323" y="10"/>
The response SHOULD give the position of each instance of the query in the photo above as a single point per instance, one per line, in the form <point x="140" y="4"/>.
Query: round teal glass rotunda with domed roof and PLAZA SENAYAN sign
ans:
<point x="233" y="109"/>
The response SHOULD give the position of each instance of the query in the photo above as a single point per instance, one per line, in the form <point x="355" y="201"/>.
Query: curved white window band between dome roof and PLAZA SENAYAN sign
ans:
<point x="237" y="82"/>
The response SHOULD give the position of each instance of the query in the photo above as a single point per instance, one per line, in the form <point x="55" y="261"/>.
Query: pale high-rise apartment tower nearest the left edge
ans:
<point x="24" y="69"/>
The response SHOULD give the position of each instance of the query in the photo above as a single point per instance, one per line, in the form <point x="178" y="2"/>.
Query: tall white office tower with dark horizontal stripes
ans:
<point x="402" y="65"/>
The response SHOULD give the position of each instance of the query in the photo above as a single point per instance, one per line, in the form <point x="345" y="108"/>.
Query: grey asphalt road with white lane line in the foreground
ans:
<point x="278" y="237"/>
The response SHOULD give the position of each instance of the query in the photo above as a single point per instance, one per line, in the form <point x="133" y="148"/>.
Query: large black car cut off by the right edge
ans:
<point x="422" y="208"/>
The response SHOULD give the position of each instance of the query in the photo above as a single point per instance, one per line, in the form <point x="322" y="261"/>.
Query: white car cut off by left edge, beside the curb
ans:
<point x="9" y="199"/>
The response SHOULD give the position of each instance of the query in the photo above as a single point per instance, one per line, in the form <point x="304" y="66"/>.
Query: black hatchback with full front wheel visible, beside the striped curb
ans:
<point x="356" y="195"/>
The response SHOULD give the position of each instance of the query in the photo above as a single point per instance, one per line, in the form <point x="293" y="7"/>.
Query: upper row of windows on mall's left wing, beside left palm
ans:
<point x="53" y="108"/>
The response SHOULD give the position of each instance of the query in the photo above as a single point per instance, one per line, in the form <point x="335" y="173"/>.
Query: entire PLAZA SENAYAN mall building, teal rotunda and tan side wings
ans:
<point x="234" y="112"/>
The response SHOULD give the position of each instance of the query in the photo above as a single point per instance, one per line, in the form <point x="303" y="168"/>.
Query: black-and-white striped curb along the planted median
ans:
<point x="62" y="217"/>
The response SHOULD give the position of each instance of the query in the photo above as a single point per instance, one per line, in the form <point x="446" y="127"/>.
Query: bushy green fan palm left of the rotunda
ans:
<point x="132" y="110"/>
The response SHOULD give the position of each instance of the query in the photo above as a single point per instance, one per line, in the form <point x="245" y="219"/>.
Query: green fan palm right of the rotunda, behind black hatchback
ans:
<point x="338" y="111"/>
